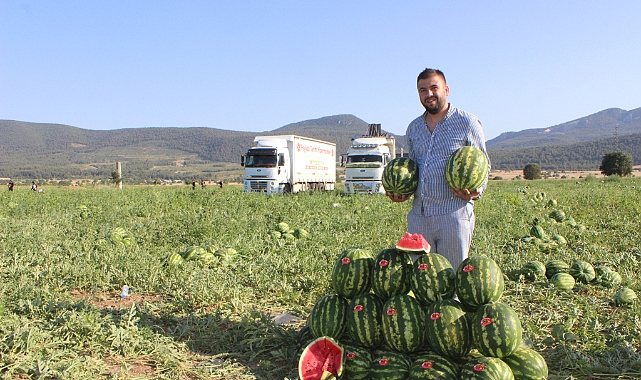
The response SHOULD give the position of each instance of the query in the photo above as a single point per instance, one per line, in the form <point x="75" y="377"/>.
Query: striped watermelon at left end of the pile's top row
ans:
<point x="352" y="273"/>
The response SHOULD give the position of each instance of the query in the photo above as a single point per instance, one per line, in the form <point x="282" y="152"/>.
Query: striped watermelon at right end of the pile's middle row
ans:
<point x="496" y="330"/>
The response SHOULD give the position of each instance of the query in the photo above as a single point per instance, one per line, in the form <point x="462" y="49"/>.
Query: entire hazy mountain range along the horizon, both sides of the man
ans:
<point x="38" y="150"/>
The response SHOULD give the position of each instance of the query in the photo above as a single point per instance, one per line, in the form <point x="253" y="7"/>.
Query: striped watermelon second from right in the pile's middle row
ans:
<point x="448" y="329"/>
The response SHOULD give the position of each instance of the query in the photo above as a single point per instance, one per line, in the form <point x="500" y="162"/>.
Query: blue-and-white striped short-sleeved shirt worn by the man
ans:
<point x="431" y="150"/>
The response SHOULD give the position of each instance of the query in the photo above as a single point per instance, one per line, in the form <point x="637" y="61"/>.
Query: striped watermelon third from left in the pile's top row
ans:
<point x="432" y="278"/>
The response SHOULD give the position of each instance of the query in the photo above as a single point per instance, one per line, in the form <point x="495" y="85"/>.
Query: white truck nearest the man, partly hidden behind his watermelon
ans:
<point x="366" y="159"/>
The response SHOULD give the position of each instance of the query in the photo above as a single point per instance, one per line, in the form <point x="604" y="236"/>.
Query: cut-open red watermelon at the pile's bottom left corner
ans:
<point x="322" y="359"/>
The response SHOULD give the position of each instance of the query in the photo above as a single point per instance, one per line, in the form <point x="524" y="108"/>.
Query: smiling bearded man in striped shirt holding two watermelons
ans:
<point x="444" y="216"/>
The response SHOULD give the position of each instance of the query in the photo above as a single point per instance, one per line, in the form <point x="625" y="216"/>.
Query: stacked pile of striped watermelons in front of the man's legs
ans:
<point x="395" y="318"/>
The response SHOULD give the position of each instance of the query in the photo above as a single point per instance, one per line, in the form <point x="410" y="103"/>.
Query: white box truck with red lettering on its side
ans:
<point x="289" y="164"/>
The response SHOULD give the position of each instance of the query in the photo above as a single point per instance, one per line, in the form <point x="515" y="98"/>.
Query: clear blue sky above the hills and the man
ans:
<point x="259" y="65"/>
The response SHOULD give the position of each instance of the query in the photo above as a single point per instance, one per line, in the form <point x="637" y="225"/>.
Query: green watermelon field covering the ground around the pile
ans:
<point x="65" y="255"/>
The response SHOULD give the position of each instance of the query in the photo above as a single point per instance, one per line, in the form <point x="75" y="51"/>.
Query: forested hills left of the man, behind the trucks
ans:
<point x="37" y="150"/>
